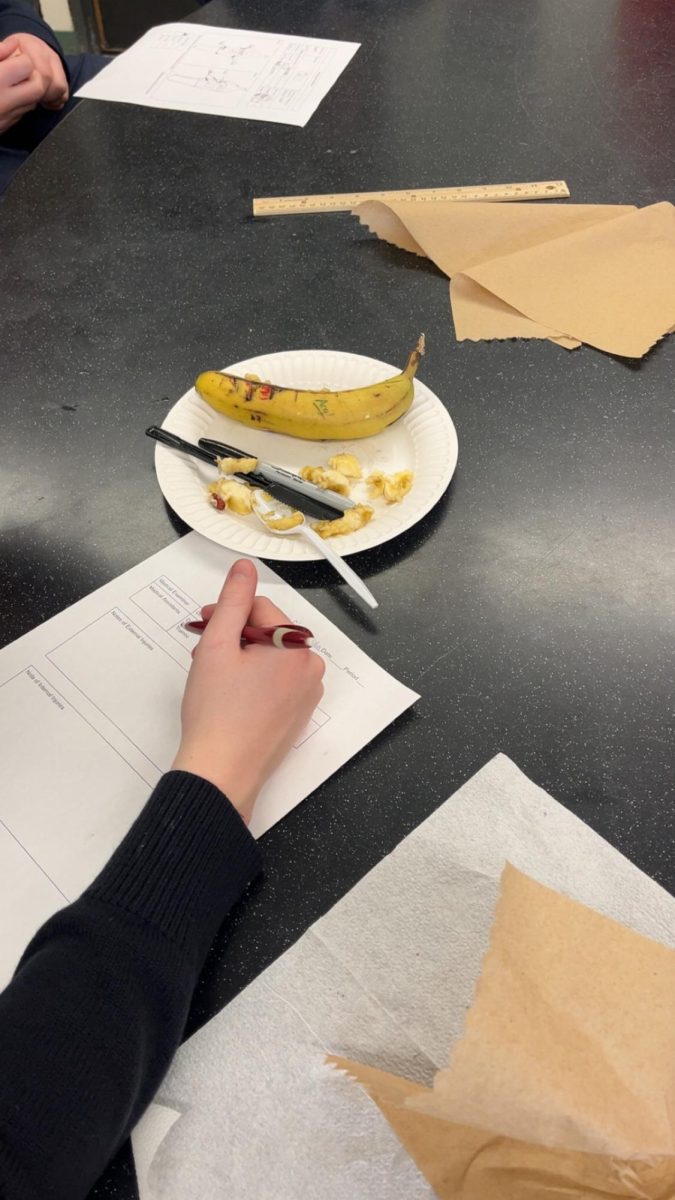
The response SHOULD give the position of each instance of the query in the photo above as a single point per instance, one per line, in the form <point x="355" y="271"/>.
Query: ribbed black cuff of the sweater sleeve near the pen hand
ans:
<point x="184" y="863"/>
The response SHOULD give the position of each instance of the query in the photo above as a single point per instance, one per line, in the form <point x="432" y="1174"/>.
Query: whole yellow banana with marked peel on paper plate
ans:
<point x="316" y="416"/>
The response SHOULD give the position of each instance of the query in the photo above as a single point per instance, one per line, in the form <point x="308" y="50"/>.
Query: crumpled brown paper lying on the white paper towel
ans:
<point x="564" y="1083"/>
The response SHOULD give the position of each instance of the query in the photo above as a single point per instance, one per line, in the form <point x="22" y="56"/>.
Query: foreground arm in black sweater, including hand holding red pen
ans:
<point x="98" y="1006"/>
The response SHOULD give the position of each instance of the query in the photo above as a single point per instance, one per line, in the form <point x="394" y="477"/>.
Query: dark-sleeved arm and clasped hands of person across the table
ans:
<point x="33" y="69"/>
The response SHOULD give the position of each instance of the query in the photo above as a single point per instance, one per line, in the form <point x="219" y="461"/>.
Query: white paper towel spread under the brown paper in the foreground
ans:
<point x="386" y="977"/>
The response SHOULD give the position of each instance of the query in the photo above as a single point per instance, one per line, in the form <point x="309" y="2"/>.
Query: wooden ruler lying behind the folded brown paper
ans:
<point x="344" y="202"/>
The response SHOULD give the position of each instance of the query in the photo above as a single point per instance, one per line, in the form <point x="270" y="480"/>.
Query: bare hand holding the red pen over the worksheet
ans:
<point x="244" y="706"/>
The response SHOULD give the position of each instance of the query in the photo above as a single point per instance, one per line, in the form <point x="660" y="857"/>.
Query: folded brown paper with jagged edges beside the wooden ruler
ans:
<point x="599" y="274"/>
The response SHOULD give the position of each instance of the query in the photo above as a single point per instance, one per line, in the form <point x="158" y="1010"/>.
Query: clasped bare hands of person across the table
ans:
<point x="32" y="74"/>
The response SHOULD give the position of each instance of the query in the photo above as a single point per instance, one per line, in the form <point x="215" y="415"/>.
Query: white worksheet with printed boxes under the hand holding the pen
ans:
<point x="91" y="719"/>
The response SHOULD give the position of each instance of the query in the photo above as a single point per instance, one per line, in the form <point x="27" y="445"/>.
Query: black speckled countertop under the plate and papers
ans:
<point x="534" y="608"/>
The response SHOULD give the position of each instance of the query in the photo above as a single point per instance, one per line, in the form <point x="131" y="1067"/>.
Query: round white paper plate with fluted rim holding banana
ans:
<point x="425" y="441"/>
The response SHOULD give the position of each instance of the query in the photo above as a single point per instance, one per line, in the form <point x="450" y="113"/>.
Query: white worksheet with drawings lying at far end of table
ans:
<point x="230" y="73"/>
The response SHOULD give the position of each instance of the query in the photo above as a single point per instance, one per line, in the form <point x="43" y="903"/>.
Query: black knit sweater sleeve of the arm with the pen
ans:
<point x="98" y="1006"/>
